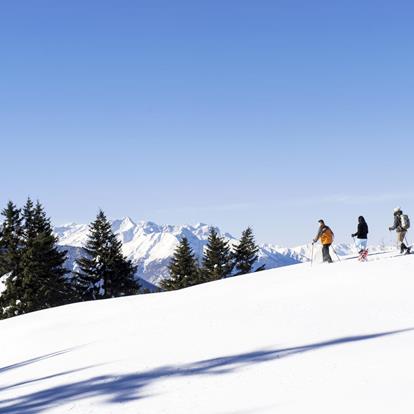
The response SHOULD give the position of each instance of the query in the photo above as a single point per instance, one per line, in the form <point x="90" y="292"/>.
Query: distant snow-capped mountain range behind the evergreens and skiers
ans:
<point x="150" y="246"/>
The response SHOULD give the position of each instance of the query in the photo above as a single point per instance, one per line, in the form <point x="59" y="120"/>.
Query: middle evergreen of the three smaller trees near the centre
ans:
<point x="217" y="262"/>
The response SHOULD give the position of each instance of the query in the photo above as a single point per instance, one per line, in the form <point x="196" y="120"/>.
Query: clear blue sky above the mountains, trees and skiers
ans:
<point x="264" y="113"/>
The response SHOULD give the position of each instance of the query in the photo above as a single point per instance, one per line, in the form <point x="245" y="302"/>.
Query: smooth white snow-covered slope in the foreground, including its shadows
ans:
<point x="328" y="338"/>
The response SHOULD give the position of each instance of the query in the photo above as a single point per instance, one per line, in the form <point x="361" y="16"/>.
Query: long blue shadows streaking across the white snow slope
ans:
<point x="128" y="387"/>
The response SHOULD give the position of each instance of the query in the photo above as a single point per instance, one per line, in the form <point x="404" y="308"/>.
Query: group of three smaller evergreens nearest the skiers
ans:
<point x="219" y="261"/>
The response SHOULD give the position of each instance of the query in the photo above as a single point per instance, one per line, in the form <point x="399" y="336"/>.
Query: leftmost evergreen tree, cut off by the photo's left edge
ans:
<point x="10" y="259"/>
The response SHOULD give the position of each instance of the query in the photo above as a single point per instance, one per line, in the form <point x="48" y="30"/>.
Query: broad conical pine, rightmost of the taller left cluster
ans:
<point x="104" y="271"/>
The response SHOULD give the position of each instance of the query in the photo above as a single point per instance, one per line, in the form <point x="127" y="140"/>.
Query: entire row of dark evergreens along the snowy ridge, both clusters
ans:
<point x="33" y="274"/>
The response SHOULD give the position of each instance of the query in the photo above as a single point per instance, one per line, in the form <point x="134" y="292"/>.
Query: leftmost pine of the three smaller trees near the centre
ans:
<point x="183" y="268"/>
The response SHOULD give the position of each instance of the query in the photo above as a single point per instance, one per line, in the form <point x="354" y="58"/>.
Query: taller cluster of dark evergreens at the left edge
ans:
<point x="32" y="267"/>
